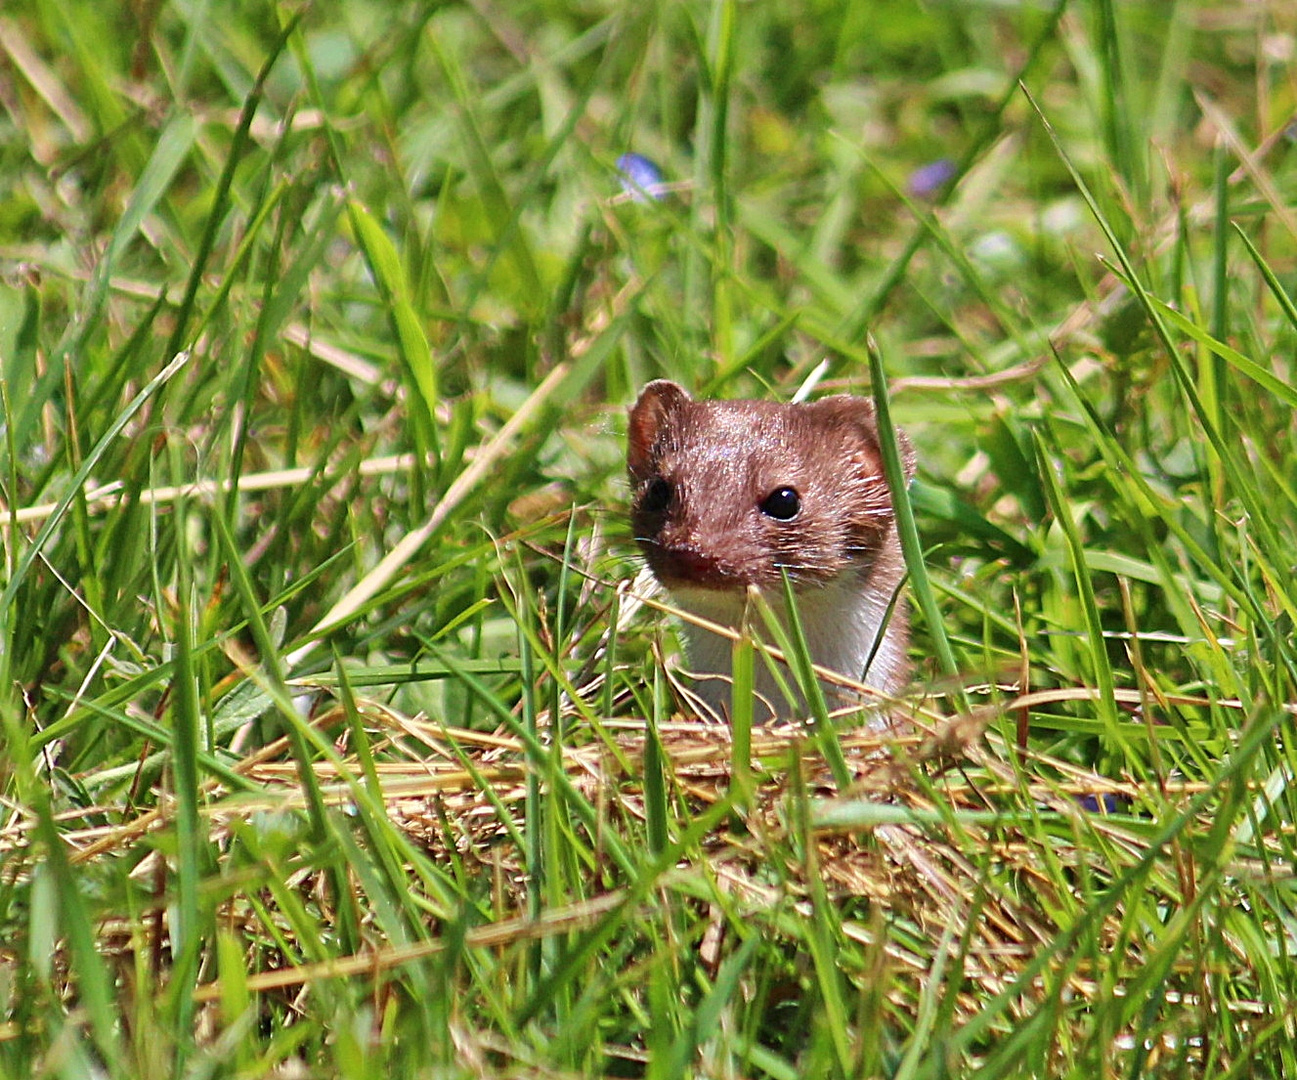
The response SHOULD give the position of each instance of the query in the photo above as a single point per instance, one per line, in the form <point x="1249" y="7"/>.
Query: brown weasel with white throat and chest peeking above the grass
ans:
<point x="728" y="495"/>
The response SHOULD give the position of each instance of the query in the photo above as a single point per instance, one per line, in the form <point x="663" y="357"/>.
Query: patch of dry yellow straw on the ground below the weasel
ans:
<point x="922" y="856"/>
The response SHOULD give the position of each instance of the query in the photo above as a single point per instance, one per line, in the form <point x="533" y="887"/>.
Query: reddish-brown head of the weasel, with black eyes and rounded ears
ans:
<point x="728" y="495"/>
